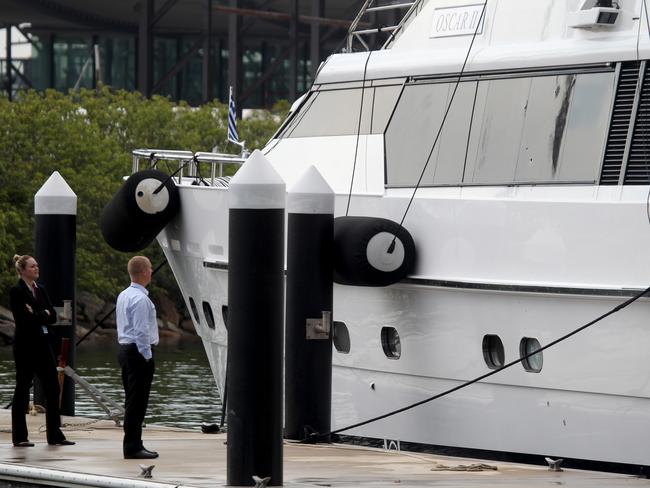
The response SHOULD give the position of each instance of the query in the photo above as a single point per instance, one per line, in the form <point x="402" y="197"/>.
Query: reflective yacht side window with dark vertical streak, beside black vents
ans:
<point x="541" y="129"/>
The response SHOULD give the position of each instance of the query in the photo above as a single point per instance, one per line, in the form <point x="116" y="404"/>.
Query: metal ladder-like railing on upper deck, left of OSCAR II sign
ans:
<point x="404" y="9"/>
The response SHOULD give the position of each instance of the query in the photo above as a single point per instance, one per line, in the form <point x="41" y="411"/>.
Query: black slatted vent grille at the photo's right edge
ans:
<point x="637" y="171"/>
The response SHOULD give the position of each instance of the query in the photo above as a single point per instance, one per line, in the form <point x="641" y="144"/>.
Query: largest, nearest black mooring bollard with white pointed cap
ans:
<point x="255" y="323"/>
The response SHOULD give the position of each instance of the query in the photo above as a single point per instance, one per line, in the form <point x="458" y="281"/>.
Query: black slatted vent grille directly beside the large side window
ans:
<point x="620" y="123"/>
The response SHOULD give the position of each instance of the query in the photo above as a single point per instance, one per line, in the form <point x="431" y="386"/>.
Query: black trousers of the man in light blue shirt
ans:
<point x="137" y="375"/>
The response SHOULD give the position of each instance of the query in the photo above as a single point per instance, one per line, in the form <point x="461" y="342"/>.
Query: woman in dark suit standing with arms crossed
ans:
<point x="33" y="313"/>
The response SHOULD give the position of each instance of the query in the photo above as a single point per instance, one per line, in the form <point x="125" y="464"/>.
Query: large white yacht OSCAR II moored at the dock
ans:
<point x="512" y="137"/>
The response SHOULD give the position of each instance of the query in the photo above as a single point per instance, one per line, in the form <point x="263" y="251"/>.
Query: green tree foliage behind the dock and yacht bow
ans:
<point x="88" y="137"/>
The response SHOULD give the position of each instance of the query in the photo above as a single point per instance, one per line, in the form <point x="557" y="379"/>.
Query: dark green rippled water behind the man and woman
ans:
<point x="183" y="393"/>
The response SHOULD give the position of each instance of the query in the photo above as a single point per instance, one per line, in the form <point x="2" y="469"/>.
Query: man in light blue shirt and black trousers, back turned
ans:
<point x="137" y="333"/>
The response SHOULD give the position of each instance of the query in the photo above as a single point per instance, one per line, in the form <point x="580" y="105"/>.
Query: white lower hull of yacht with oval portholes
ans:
<point x="591" y="398"/>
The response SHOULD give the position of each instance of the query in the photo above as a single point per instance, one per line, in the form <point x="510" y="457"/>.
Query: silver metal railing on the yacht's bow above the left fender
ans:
<point x="189" y="163"/>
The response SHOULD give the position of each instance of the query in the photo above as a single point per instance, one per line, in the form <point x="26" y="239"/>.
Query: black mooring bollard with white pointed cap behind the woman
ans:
<point x="55" y="210"/>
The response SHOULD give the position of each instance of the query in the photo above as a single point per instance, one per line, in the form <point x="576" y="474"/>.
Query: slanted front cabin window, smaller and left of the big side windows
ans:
<point x="336" y="112"/>
